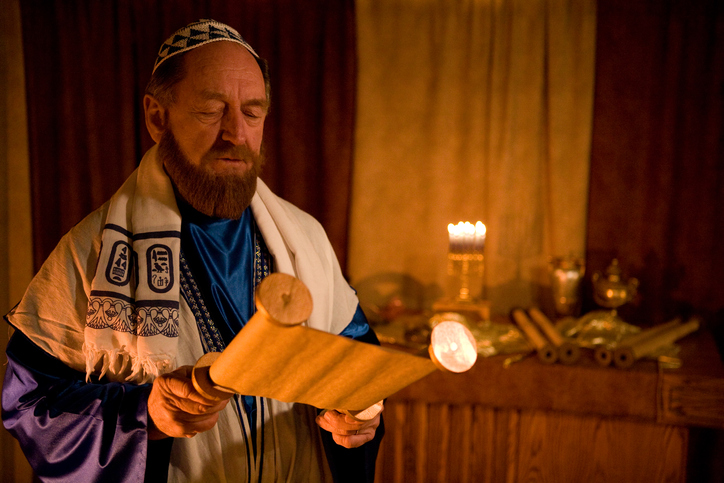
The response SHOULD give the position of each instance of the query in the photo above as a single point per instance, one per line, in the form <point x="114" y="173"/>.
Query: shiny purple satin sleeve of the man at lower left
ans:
<point x="68" y="429"/>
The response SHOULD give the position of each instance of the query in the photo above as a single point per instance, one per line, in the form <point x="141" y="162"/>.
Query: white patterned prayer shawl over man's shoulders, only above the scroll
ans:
<point x="143" y="215"/>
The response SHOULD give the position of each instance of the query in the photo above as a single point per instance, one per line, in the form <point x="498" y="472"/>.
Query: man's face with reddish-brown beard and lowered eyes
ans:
<point x="212" y="141"/>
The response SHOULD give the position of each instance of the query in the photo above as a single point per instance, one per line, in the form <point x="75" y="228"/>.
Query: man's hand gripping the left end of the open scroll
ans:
<point x="177" y="410"/>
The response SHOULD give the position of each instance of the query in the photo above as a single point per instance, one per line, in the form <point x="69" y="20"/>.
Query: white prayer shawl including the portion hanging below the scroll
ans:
<point x="144" y="219"/>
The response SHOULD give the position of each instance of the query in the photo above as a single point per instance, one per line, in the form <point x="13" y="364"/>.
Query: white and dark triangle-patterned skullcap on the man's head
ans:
<point x="197" y="34"/>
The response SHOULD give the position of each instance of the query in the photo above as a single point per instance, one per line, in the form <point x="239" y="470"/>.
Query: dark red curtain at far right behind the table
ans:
<point x="657" y="170"/>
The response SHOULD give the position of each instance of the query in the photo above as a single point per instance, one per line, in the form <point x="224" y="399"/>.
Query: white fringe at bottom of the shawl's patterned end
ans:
<point x="115" y="364"/>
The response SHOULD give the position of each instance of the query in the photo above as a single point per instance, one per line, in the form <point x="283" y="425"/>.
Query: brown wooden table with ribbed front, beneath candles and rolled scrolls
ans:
<point x="554" y="423"/>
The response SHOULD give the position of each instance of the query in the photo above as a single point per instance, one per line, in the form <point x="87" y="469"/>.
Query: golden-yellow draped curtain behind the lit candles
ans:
<point x="470" y="110"/>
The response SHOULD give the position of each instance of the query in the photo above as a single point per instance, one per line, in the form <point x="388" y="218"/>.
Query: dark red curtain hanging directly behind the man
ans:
<point x="87" y="64"/>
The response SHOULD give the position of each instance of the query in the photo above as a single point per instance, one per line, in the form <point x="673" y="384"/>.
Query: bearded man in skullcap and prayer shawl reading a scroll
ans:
<point x="97" y="385"/>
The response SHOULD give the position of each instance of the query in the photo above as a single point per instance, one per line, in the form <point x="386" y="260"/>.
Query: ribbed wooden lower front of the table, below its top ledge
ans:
<point x="472" y="443"/>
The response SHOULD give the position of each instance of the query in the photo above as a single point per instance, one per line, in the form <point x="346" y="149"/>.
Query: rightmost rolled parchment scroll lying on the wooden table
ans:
<point x="650" y="340"/>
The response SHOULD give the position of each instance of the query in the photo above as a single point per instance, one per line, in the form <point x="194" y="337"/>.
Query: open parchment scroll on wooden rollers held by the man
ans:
<point x="275" y="356"/>
